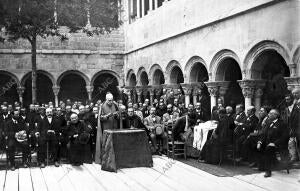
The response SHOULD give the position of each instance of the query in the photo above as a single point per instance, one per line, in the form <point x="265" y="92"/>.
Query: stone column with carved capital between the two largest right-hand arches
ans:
<point x="248" y="87"/>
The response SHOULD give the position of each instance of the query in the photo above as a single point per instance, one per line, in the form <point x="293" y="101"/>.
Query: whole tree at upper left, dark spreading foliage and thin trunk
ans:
<point x="34" y="19"/>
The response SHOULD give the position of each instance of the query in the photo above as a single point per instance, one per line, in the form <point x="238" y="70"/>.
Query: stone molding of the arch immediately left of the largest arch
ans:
<point x="217" y="60"/>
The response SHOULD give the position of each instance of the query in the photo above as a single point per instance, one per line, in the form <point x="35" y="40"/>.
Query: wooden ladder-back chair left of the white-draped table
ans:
<point x="174" y="148"/>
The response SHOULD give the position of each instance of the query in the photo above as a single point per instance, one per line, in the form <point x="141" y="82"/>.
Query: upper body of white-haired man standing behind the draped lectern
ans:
<point x="109" y="113"/>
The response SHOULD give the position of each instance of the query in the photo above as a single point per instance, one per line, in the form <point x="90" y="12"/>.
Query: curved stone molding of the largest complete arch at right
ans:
<point x="258" y="49"/>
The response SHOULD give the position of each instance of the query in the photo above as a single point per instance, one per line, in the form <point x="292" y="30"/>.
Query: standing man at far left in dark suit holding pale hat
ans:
<point x="13" y="129"/>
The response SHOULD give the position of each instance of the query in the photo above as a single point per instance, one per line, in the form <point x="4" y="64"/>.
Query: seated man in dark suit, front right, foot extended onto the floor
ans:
<point x="273" y="138"/>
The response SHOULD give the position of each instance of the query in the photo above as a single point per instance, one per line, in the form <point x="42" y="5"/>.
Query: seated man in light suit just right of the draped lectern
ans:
<point x="152" y="122"/>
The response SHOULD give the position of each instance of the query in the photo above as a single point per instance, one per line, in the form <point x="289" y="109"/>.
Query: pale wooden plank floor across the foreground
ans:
<point x="165" y="175"/>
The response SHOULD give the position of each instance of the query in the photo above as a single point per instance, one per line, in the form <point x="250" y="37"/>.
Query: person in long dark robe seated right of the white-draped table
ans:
<point x="219" y="139"/>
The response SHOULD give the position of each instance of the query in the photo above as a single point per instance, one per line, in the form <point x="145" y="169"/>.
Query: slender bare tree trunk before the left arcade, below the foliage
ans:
<point x="33" y="73"/>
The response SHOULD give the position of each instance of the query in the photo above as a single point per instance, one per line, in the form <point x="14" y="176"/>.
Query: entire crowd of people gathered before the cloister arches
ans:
<point x="69" y="130"/>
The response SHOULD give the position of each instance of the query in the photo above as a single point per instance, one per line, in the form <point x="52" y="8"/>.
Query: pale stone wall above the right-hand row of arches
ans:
<point x="181" y="30"/>
